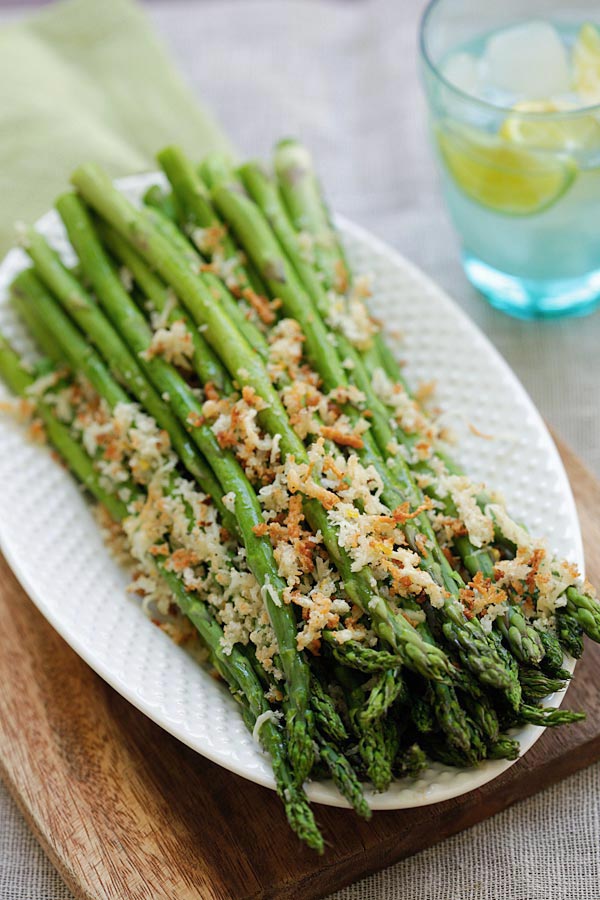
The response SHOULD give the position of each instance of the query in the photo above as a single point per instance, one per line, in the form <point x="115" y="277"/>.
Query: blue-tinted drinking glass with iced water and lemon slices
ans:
<point x="521" y="181"/>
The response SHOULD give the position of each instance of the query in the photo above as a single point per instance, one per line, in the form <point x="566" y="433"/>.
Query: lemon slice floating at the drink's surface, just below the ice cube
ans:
<point x="575" y="132"/>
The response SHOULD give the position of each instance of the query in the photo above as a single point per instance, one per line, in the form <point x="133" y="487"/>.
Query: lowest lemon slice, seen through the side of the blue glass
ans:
<point x="502" y="176"/>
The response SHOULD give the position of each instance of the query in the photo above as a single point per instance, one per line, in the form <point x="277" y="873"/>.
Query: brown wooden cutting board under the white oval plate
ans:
<point x="126" y="812"/>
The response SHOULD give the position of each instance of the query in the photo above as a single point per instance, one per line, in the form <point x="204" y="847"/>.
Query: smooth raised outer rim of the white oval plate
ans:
<point x="463" y="781"/>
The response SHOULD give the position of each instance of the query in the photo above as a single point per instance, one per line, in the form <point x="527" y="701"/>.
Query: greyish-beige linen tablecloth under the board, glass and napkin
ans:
<point x="343" y="76"/>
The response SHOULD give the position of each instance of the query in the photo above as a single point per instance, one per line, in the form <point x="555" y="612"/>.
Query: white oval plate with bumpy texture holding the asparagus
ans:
<point x="53" y="545"/>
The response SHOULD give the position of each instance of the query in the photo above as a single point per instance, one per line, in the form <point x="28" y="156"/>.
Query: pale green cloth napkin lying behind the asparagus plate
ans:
<point x="87" y="80"/>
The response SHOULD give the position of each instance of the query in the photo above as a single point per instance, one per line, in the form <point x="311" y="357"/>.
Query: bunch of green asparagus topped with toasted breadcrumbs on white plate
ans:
<point x="209" y="371"/>
